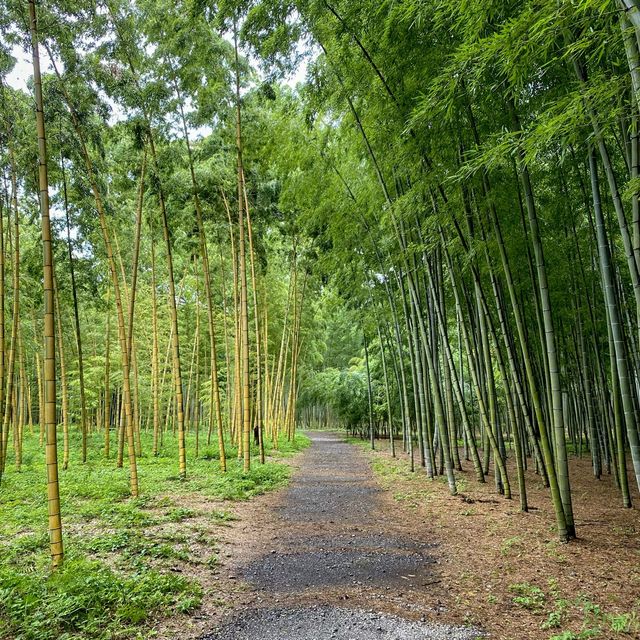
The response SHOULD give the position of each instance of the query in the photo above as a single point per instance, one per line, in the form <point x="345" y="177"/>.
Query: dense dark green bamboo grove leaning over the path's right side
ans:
<point x="469" y="175"/>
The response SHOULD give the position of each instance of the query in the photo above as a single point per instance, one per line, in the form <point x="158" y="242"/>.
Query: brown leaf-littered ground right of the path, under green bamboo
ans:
<point x="506" y="571"/>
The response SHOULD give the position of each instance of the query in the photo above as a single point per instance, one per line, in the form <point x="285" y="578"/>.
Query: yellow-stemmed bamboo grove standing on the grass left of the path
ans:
<point x="173" y="301"/>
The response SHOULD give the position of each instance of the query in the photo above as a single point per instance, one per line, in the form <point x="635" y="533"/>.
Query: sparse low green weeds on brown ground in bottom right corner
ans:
<point x="575" y="618"/>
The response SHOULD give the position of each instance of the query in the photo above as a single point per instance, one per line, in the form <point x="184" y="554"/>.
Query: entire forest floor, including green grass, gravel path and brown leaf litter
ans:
<point x="357" y="547"/>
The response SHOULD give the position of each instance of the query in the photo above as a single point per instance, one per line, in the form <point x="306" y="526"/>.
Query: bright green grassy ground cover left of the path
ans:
<point x="119" y="552"/>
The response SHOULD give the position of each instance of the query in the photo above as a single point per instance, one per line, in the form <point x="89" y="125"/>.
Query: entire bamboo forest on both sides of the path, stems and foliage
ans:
<point x="434" y="239"/>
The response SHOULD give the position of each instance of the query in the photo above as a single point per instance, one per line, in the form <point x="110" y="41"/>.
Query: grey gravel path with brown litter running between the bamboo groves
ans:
<point x="327" y="558"/>
